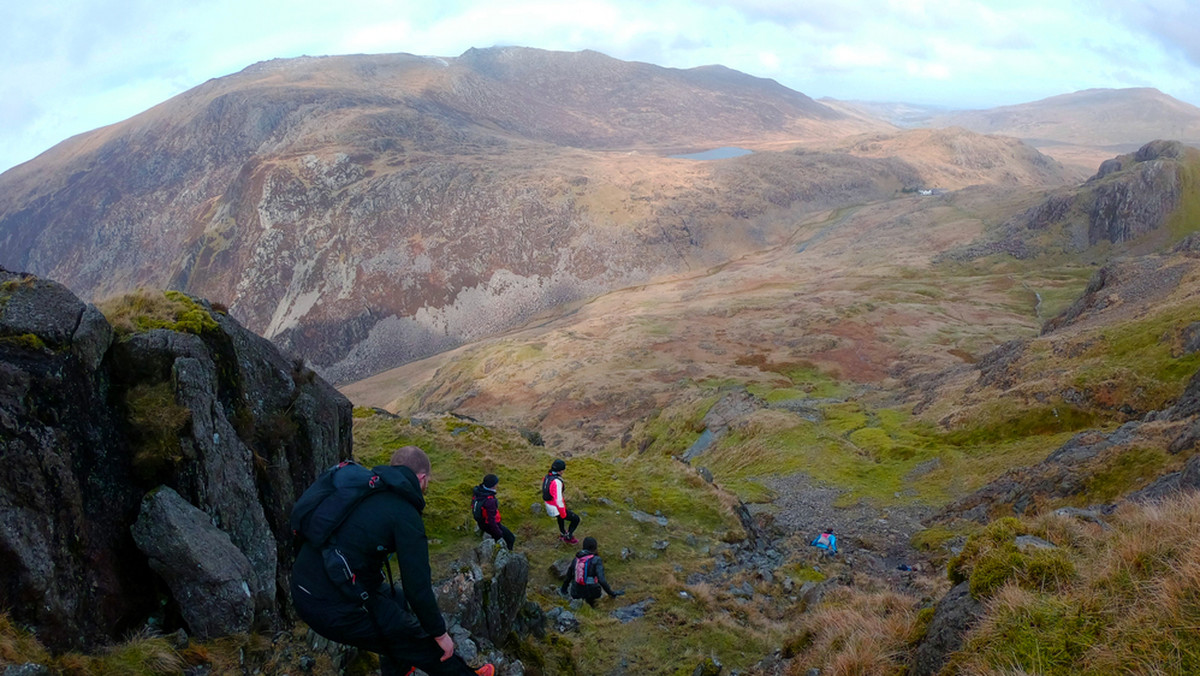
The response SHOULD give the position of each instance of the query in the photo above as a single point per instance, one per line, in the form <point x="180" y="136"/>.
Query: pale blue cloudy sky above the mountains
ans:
<point x="69" y="67"/>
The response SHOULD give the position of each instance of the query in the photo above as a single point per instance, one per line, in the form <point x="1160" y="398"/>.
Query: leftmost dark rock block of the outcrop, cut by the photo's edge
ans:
<point x="67" y="489"/>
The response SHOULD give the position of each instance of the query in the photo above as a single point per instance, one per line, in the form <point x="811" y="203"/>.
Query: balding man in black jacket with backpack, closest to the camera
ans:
<point x="406" y="630"/>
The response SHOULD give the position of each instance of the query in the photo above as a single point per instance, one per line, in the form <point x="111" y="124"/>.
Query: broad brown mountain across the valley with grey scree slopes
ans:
<point x="365" y="212"/>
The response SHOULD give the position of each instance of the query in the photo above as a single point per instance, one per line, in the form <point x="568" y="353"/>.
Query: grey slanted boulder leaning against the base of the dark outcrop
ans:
<point x="208" y="576"/>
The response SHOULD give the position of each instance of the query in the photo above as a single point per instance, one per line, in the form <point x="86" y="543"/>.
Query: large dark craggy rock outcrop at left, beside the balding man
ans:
<point x="256" y="430"/>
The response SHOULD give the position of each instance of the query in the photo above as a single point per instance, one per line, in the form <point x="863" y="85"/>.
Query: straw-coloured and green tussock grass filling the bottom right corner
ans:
<point x="1132" y="608"/>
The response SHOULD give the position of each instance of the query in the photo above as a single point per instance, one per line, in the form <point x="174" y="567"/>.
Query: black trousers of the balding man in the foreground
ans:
<point x="389" y="629"/>
